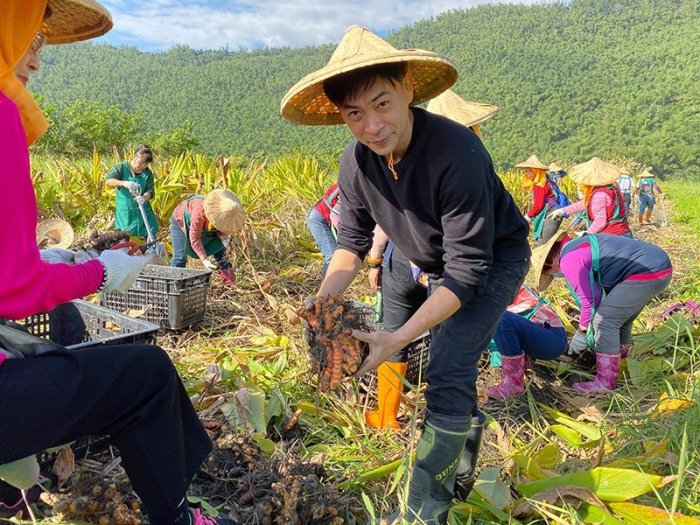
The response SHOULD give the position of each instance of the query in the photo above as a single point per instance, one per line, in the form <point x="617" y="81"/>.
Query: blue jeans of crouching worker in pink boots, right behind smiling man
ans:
<point x="516" y="335"/>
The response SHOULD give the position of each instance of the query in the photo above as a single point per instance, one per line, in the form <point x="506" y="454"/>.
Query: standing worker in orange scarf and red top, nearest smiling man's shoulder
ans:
<point x="546" y="199"/>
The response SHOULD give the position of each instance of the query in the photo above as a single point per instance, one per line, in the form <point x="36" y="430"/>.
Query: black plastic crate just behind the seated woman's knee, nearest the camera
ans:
<point x="79" y="324"/>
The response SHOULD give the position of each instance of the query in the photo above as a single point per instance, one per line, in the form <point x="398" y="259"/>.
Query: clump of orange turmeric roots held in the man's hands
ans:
<point x="334" y="351"/>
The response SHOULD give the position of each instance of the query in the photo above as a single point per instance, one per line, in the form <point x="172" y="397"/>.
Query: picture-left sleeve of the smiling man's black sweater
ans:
<point x="356" y="224"/>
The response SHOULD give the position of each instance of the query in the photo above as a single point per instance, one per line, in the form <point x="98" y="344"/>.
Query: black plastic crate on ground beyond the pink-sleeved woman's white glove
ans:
<point x="172" y="297"/>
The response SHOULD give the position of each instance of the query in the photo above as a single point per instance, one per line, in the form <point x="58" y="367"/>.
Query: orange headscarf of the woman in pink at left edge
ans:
<point x="19" y="23"/>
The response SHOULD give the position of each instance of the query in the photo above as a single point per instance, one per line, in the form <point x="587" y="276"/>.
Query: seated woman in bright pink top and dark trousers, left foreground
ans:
<point x="131" y="393"/>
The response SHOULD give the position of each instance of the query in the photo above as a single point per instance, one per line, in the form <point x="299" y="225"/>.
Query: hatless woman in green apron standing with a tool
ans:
<point x="135" y="187"/>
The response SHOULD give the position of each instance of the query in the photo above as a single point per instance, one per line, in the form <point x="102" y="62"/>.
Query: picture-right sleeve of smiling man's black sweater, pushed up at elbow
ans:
<point x="468" y="222"/>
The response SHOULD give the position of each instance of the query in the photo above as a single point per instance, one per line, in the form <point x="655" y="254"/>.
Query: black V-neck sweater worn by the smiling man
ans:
<point x="448" y="212"/>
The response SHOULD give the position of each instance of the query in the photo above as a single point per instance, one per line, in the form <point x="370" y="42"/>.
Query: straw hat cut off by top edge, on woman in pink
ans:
<point x="75" y="20"/>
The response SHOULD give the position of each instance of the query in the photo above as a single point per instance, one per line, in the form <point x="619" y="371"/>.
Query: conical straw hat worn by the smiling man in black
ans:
<point x="307" y="103"/>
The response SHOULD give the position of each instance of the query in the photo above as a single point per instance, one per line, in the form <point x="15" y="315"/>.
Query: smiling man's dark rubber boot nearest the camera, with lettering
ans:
<point x="438" y="454"/>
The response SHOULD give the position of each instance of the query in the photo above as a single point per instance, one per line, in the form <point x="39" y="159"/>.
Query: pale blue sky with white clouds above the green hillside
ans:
<point x="236" y="24"/>
